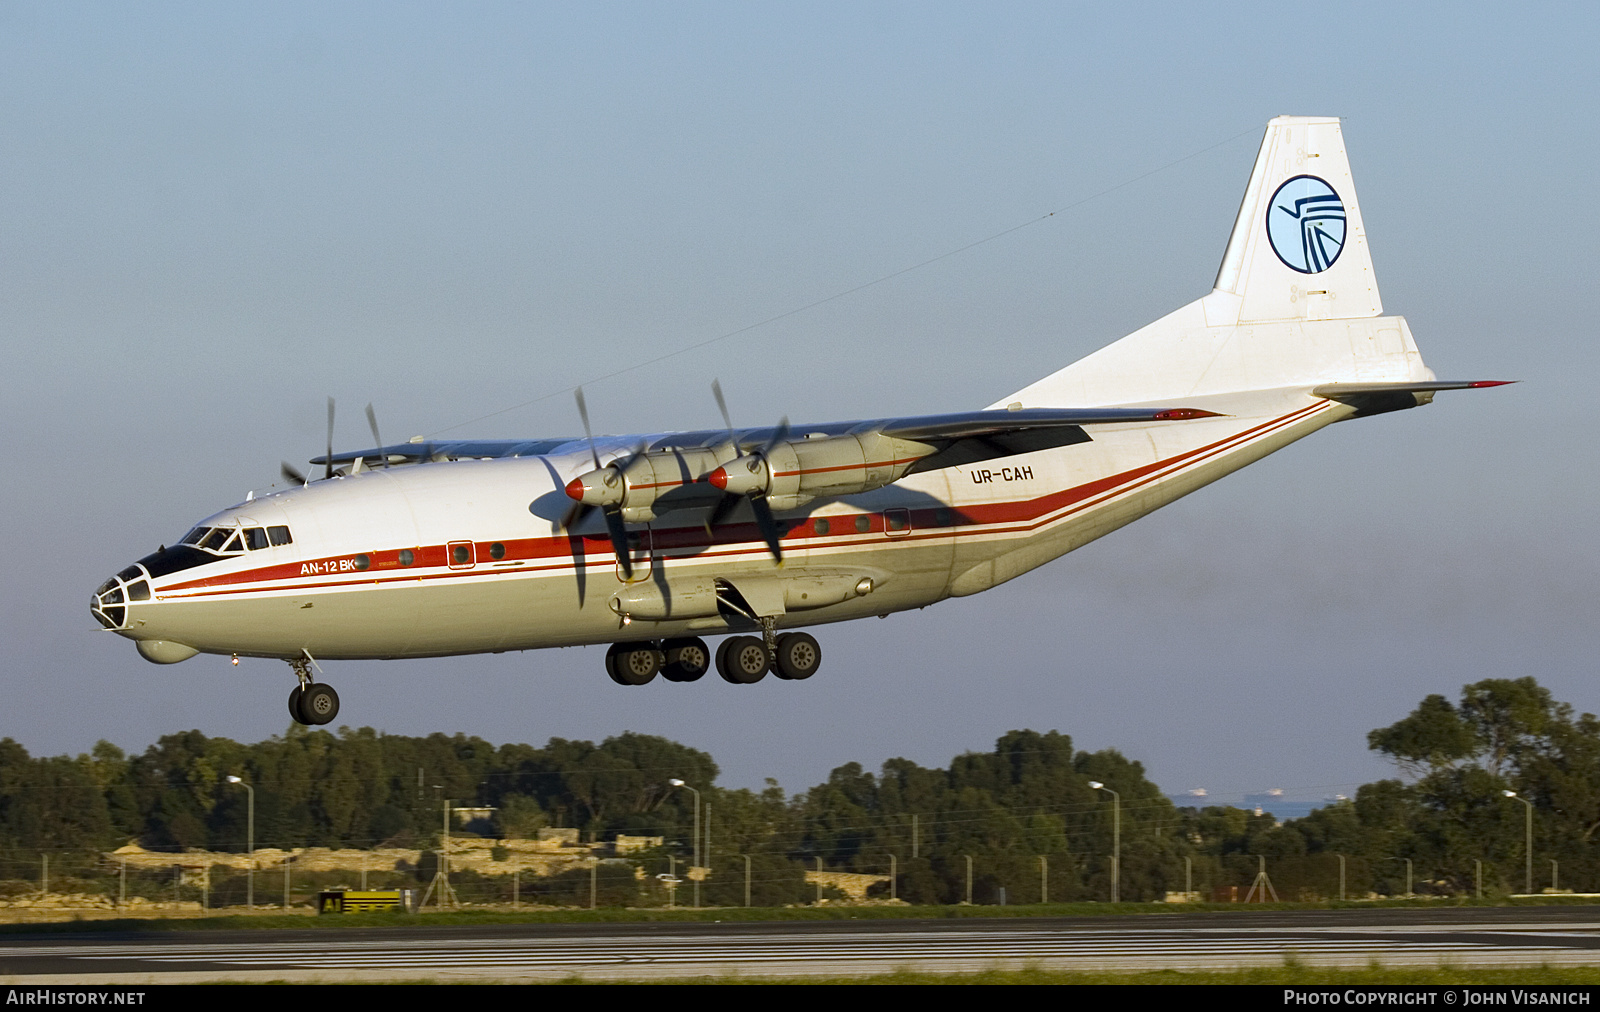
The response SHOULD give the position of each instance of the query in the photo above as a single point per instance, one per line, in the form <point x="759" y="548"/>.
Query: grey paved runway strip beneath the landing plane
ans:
<point x="657" y="952"/>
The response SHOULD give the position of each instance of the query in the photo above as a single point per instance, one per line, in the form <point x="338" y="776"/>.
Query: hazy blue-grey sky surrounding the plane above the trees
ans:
<point x="215" y="217"/>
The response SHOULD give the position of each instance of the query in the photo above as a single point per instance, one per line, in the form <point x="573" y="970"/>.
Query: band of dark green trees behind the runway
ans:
<point x="1022" y="816"/>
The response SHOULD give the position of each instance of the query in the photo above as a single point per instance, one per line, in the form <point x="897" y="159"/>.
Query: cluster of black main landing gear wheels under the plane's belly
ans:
<point x="742" y="661"/>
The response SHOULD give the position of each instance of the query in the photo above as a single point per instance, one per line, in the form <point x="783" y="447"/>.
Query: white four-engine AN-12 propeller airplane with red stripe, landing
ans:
<point x="650" y="544"/>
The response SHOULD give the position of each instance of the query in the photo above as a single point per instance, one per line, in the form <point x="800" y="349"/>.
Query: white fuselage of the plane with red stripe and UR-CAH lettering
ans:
<point x="455" y="558"/>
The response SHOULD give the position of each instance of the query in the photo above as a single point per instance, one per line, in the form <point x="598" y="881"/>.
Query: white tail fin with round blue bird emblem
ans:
<point x="1295" y="302"/>
